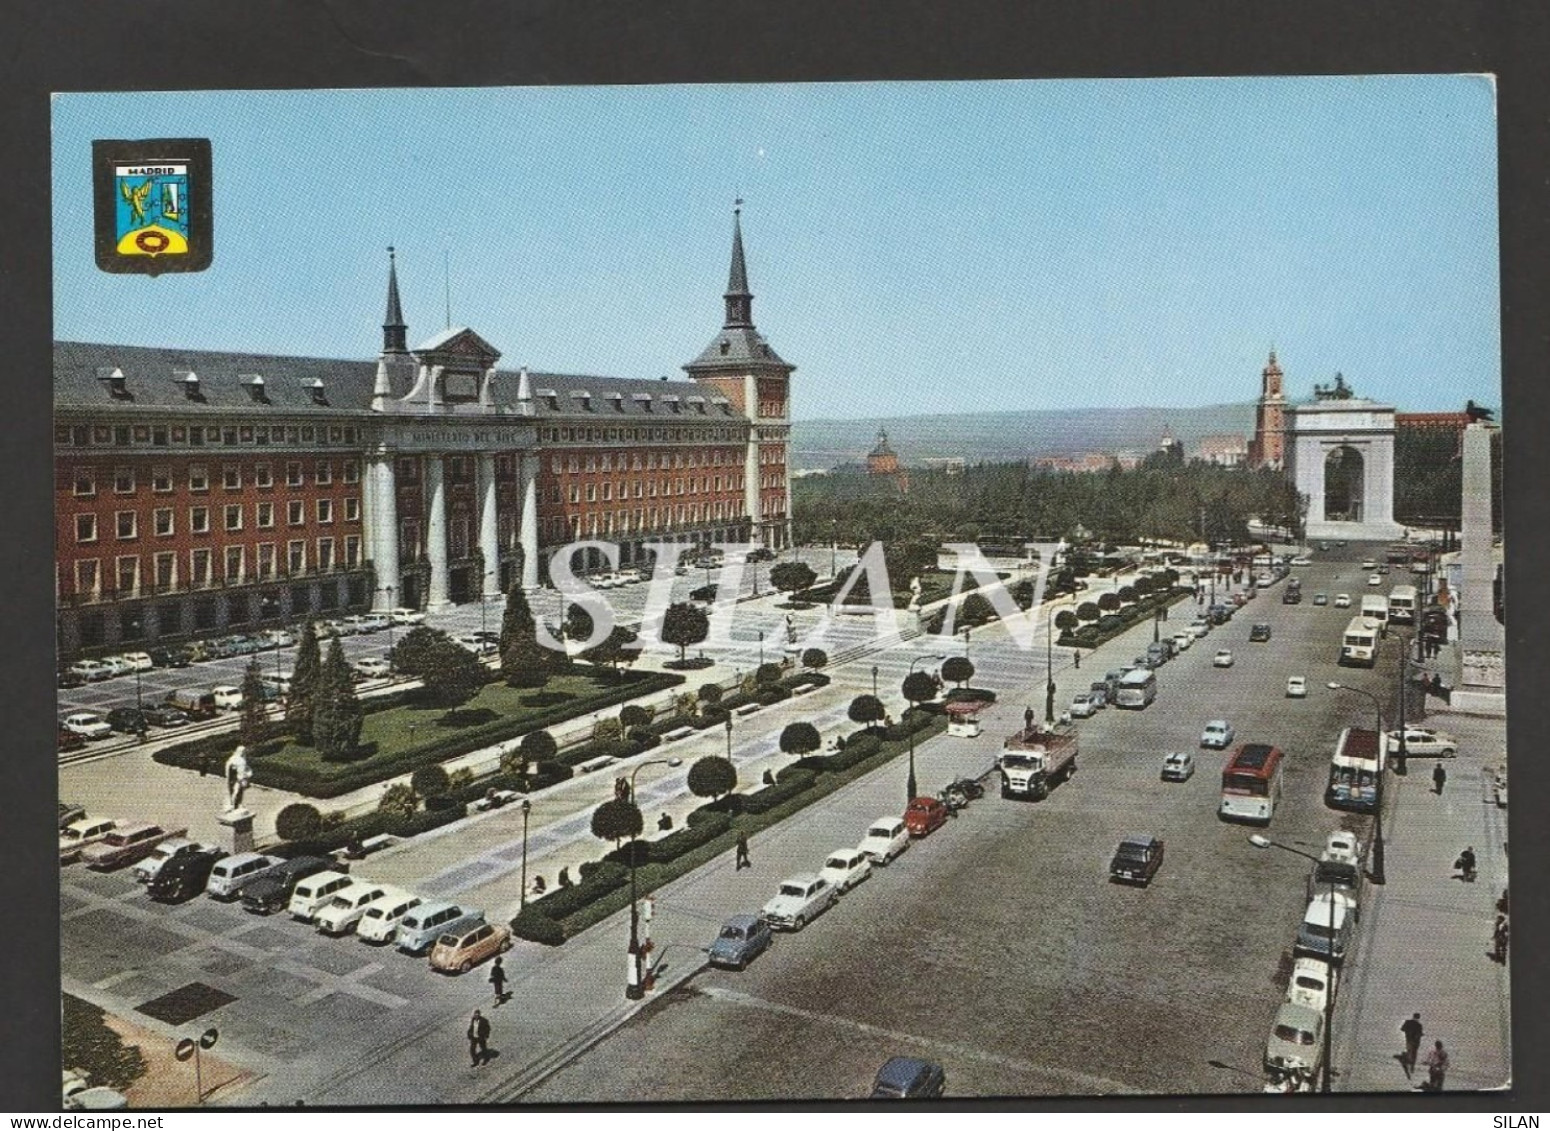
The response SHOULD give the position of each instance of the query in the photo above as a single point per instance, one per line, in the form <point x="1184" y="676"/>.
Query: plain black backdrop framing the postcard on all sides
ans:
<point x="72" y="46"/>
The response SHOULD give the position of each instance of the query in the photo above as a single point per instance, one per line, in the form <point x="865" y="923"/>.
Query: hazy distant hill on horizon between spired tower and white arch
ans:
<point x="997" y="438"/>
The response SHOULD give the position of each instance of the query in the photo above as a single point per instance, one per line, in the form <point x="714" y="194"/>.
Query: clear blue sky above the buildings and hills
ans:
<point x="914" y="247"/>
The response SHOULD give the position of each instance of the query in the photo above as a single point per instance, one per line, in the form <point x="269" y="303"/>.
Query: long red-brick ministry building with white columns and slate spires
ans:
<point x="199" y="492"/>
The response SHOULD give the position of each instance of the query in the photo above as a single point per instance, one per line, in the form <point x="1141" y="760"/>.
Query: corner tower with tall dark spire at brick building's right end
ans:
<point x="740" y="366"/>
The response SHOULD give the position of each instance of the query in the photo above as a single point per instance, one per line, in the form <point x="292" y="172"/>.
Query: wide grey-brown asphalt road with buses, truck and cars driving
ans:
<point x="997" y="946"/>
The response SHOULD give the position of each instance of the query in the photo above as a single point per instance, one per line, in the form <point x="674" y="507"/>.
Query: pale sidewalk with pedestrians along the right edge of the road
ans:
<point x="1425" y="937"/>
